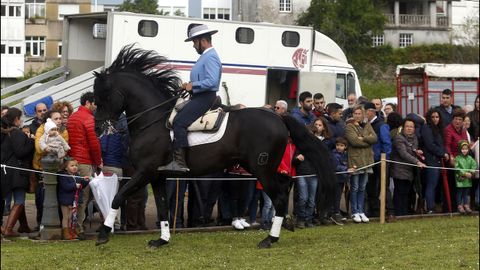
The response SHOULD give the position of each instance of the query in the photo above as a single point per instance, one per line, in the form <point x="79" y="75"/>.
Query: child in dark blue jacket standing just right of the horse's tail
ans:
<point x="341" y="165"/>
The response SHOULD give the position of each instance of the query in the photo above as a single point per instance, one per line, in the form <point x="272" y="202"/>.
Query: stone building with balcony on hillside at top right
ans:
<point x="416" y="22"/>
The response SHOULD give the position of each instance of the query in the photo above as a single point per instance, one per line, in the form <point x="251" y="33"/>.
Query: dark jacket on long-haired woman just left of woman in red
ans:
<point x="433" y="147"/>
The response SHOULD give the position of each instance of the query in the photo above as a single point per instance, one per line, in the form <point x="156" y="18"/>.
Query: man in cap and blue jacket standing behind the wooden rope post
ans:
<point x="383" y="145"/>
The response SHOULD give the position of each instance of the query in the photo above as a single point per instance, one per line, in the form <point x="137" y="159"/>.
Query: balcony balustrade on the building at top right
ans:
<point x="406" y="20"/>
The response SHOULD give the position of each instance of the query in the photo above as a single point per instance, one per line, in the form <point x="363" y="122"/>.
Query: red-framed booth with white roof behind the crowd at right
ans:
<point x="420" y="86"/>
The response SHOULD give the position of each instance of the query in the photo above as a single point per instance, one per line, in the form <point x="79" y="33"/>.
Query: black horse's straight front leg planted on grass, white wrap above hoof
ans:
<point x="160" y="193"/>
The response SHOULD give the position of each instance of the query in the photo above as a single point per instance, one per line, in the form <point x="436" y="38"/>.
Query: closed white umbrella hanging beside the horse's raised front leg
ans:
<point x="104" y="189"/>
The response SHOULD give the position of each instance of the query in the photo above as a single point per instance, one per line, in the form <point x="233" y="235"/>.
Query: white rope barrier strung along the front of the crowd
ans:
<point x="3" y="166"/>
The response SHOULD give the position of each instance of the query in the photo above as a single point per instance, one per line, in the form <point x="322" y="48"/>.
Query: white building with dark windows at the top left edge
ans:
<point x="12" y="41"/>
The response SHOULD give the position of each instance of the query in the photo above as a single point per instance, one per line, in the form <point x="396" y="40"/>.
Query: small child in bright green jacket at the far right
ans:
<point x="466" y="166"/>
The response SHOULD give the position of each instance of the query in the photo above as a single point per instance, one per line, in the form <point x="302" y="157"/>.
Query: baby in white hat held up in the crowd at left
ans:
<point x="52" y="141"/>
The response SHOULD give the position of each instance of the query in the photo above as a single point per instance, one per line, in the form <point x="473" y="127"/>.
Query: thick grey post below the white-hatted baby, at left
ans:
<point x="51" y="223"/>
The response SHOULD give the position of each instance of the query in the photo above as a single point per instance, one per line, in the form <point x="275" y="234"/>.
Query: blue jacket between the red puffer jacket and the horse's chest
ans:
<point x="114" y="146"/>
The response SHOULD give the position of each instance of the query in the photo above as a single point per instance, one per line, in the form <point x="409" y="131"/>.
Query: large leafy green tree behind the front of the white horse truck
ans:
<point x="350" y="23"/>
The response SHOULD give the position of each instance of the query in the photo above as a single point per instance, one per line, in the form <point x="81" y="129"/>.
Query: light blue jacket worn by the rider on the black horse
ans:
<point x="206" y="73"/>
